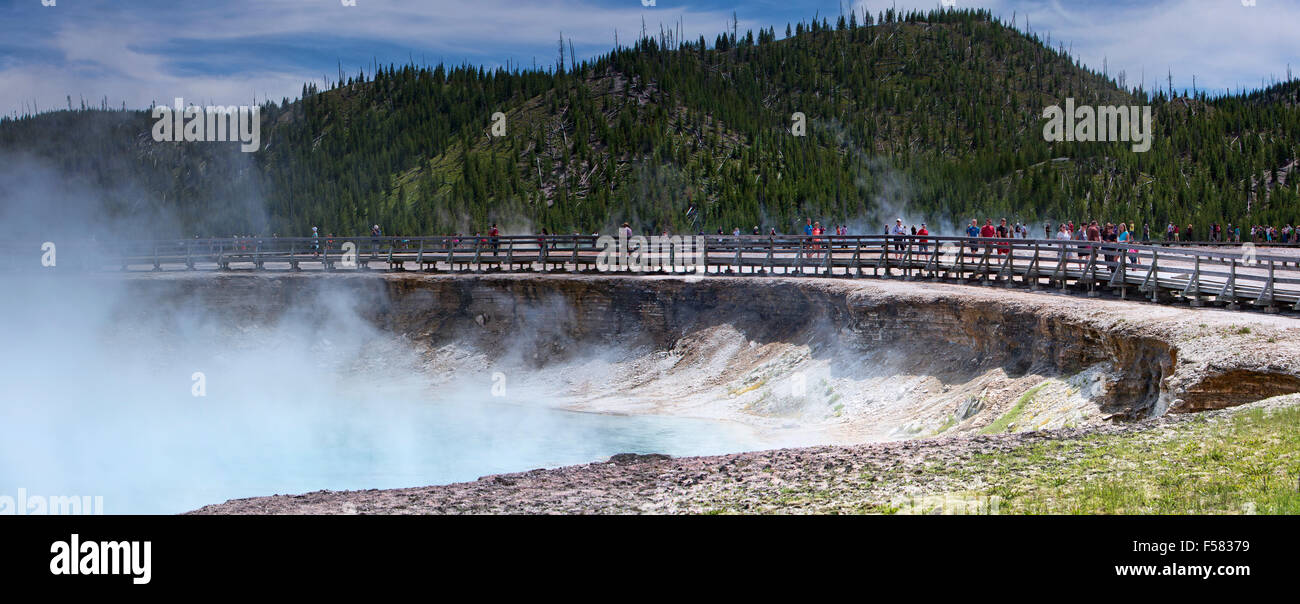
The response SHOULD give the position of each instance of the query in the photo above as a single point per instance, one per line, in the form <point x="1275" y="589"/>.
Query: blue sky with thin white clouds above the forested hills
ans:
<point x="236" y="51"/>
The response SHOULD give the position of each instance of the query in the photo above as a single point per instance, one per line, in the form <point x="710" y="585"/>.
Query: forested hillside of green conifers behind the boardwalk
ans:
<point x="937" y="116"/>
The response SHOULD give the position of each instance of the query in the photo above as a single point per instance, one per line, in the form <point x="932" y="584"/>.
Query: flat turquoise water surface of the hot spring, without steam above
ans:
<point x="175" y="455"/>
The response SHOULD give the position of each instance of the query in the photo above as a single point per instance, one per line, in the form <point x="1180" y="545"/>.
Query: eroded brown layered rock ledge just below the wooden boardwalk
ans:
<point x="1159" y="359"/>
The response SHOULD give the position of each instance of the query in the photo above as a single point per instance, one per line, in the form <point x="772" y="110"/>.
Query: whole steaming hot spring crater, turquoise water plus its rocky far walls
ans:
<point x="164" y="393"/>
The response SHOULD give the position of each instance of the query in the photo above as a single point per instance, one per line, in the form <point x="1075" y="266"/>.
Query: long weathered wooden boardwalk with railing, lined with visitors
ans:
<point x="1242" y="275"/>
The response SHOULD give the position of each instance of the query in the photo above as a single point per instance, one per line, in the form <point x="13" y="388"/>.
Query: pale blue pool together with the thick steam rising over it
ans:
<point x="101" y="399"/>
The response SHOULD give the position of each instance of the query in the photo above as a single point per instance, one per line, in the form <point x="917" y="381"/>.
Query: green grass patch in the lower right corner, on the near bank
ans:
<point x="1247" y="464"/>
